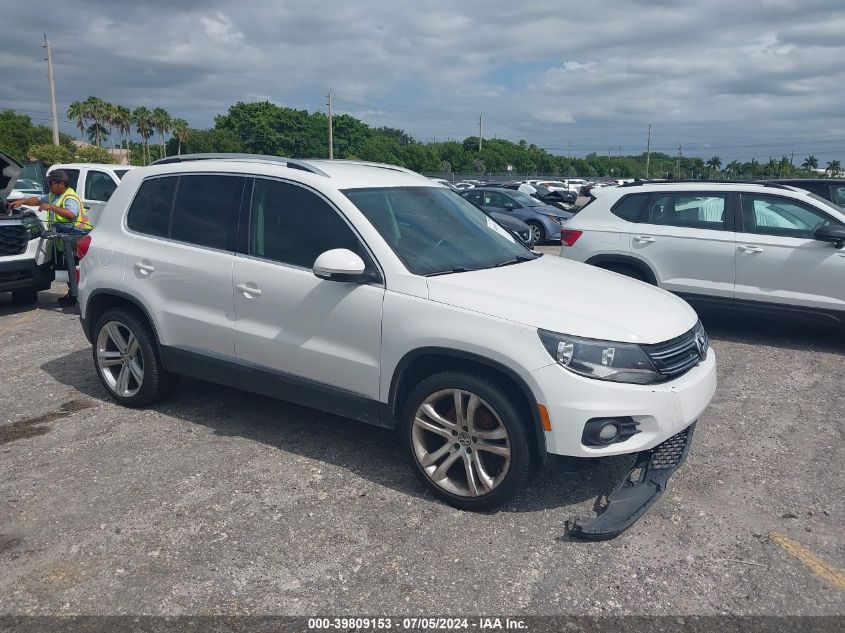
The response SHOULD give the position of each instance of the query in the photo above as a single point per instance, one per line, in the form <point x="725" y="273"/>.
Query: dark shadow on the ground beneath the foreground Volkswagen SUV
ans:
<point x="371" y="452"/>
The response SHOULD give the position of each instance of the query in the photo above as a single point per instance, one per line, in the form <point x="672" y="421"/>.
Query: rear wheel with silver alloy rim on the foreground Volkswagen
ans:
<point x="127" y="360"/>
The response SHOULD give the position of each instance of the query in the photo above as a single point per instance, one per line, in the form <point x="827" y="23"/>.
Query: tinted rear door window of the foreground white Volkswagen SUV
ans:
<point x="206" y="210"/>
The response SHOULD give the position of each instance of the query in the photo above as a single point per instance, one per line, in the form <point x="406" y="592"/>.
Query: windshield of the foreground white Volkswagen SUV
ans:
<point x="434" y="230"/>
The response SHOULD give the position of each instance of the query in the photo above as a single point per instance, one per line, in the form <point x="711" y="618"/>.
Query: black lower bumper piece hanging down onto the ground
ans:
<point x="639" y="490"/>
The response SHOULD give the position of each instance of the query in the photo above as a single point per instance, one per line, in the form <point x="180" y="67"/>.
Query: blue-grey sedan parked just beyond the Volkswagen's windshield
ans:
<point x="544" y="219"/>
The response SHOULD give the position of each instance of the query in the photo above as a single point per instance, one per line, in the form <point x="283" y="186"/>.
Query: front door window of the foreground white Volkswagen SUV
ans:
<point x="292" y="225"/>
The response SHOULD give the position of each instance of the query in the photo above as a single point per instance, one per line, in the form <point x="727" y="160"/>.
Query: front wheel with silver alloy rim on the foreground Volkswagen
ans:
<point x="466" y="439"/>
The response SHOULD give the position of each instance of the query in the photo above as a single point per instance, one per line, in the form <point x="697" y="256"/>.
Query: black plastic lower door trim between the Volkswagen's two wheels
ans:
<point x="270" y="382"/>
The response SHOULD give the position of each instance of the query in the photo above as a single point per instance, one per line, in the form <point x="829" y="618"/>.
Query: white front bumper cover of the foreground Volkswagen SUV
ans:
<point x="661" y="410"/>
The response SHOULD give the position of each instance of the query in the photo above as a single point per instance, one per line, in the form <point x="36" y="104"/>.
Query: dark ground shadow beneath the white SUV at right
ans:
<point x="785" y="335"/>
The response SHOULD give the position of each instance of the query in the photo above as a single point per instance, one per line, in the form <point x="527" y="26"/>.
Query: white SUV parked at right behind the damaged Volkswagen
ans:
<point x="758" y="248"/>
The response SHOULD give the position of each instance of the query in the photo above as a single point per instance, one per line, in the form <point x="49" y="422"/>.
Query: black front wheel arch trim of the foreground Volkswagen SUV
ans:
<point x="426" y="361"/>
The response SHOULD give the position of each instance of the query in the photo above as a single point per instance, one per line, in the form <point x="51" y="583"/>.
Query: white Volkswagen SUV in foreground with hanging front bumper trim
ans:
<point x="369" y="291"/>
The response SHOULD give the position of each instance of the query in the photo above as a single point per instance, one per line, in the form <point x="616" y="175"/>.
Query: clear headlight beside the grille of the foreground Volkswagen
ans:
<point x="604" y="360"/>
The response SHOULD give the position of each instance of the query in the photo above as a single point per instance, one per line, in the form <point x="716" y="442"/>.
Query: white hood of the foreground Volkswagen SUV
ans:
<point x="568" y="297"/>
